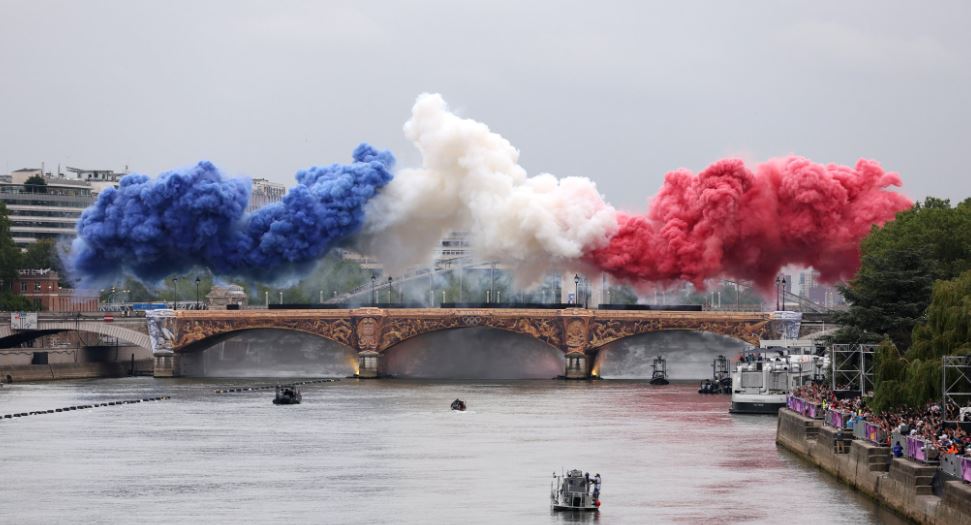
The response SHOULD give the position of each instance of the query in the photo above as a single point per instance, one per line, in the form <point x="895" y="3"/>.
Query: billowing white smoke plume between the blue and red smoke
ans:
<point x="470" y="181"/>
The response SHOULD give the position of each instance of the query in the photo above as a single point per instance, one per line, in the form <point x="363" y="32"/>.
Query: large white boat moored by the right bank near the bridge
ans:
<point x="765" y="376"/>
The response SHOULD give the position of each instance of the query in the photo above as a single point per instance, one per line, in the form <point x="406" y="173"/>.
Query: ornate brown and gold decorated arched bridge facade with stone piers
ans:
<point x="578" y="333"/>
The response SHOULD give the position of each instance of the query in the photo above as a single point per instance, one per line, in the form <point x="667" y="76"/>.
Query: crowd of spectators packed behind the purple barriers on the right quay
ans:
<point x="927" y="423"/>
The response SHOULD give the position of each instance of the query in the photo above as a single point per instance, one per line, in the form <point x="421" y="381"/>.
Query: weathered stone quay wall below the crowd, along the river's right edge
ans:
<point x="899" y="483"/>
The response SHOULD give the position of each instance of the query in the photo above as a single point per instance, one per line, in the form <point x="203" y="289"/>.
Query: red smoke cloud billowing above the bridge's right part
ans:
<point x="730" y="222"/>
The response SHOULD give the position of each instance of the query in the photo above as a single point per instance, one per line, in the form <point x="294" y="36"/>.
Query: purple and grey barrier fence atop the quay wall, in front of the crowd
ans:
<point x="912" y="447"/>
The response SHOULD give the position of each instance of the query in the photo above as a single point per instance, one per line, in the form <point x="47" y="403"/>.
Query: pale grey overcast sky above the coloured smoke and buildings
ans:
<point x="620" y="92"/>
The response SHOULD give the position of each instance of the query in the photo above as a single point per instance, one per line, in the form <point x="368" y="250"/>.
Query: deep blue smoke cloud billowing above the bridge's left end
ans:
<point x="196" y="218"/>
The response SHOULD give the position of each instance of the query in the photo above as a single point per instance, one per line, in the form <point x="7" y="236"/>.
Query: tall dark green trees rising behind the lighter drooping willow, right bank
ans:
<point x="900" y="263"/>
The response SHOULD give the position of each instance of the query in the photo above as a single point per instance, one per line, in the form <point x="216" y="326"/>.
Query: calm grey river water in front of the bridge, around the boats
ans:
<point x="391" y="451"/>
